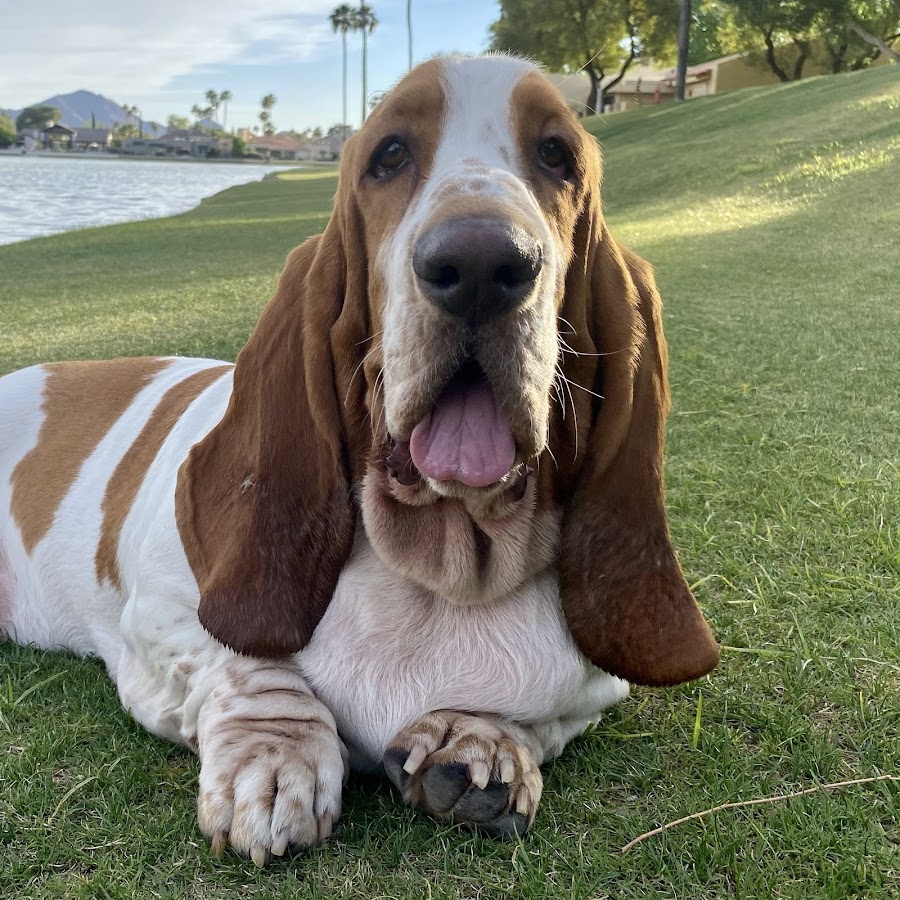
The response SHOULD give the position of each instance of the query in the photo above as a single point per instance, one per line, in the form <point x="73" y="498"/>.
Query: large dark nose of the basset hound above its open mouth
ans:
<point x="477" y="267"/>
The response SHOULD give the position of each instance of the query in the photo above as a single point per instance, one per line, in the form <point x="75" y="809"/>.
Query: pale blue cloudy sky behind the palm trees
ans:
<point x="163" y="55"/>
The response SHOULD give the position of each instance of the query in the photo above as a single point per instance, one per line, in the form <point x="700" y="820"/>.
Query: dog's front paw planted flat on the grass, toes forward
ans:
<point x="270" y="784"/>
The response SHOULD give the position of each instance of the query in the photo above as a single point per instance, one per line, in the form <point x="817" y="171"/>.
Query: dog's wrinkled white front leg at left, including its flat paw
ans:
<point x="272" y="764"/>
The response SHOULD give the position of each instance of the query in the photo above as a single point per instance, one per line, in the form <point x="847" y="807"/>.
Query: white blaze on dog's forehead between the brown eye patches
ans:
<point x="478" y="121"/>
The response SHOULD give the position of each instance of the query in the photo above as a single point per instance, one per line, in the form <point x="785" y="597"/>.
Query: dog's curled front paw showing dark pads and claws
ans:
<point x="467" y="769"/>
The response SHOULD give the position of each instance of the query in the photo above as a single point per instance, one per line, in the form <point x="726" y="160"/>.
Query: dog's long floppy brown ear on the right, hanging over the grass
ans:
<point x="623" y="594"/>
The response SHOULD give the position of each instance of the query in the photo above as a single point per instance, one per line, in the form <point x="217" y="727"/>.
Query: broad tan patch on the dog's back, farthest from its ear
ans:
<point x="82" y="401"/>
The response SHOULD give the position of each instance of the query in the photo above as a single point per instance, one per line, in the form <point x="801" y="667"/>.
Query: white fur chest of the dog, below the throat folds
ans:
<point x="387" y="651"/>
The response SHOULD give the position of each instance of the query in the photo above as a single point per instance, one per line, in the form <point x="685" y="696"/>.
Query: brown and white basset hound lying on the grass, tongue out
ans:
<point x="417" y="527"/>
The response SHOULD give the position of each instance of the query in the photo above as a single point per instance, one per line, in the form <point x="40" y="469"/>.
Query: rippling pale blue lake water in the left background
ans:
<point x="43" y="195"/>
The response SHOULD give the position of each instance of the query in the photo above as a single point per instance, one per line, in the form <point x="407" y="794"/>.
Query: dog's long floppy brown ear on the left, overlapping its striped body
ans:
<point x="263" y="501"/>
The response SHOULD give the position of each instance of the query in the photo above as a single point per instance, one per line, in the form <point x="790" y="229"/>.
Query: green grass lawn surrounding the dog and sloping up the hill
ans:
<point x="772" y="217"/>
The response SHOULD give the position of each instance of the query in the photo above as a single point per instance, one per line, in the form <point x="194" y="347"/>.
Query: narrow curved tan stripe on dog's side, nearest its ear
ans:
<point x="126" y="480"/>
